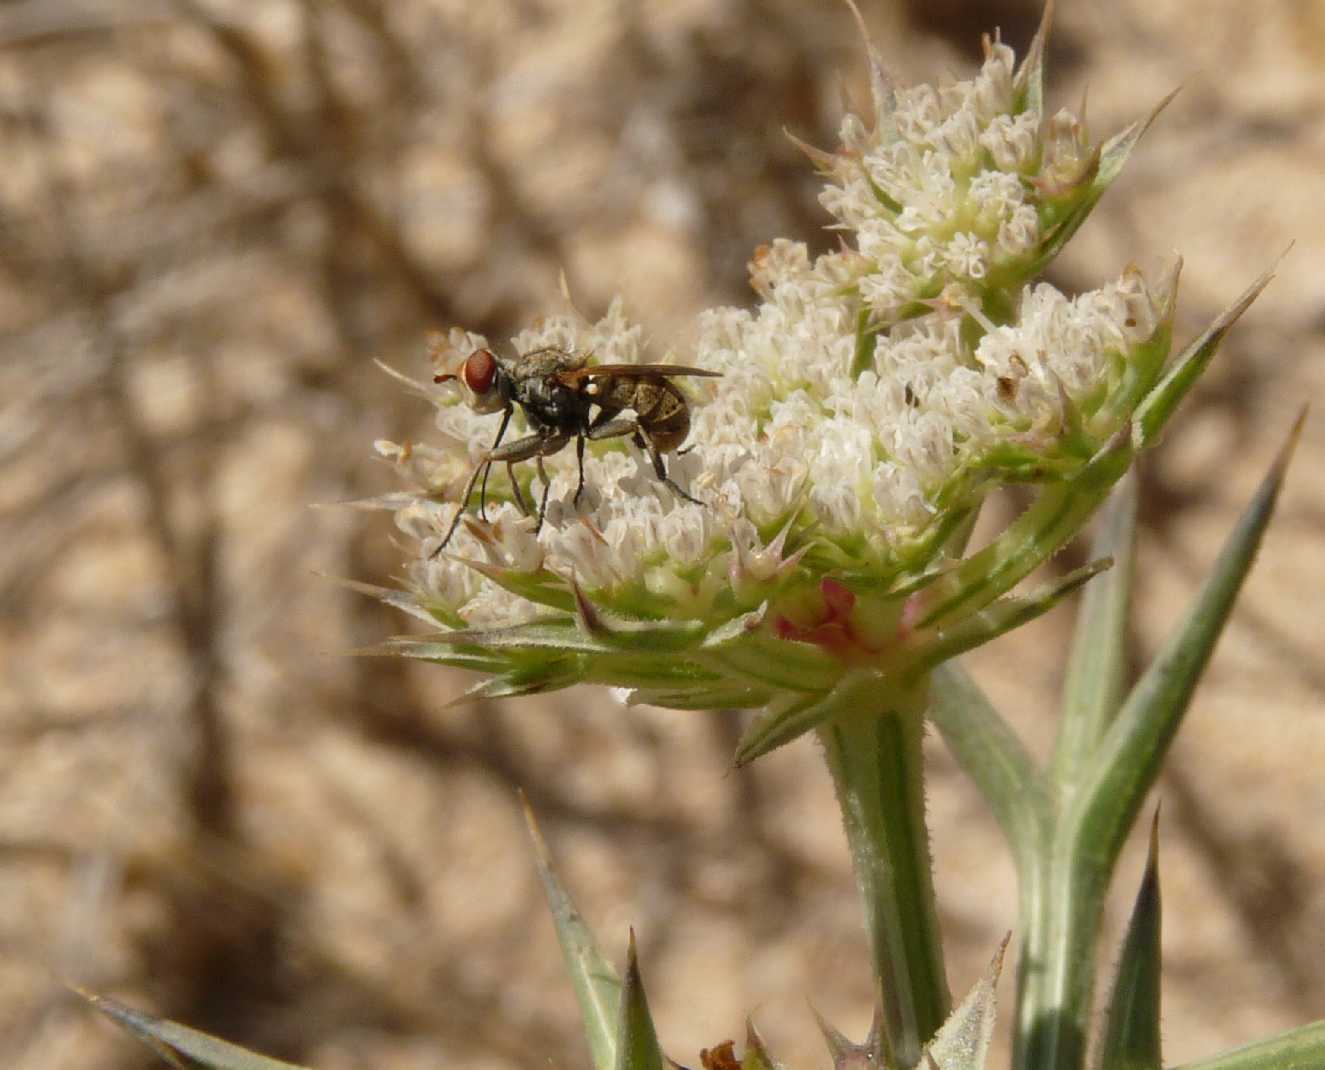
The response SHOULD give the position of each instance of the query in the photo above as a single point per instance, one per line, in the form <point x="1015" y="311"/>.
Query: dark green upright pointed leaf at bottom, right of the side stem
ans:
<point x="1132" y="1023"/>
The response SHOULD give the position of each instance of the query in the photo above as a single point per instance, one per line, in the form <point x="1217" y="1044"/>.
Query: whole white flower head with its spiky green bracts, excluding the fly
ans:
<point x="866" y="407"/>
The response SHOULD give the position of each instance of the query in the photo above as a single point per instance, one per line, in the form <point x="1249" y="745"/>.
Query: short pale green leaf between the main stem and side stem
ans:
<point x="992" y="754"/>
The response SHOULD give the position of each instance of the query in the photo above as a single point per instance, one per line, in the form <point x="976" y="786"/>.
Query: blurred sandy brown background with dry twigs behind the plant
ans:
<point x="215" y="214"/>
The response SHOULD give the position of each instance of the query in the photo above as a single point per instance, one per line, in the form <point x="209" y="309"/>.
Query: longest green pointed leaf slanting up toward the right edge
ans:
<point x="1131" y="754"/>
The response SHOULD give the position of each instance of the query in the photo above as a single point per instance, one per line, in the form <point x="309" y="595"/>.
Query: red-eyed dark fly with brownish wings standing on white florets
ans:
<point x="565" y="398"/>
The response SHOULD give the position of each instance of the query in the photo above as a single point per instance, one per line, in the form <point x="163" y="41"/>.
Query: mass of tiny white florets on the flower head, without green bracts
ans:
<point x="862" y="387"/>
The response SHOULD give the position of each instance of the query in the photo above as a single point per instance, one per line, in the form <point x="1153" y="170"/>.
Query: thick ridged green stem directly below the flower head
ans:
<point x="879" y="770"/>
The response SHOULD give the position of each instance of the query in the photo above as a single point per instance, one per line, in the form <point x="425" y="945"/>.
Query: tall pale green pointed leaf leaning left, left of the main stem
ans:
<point x="597" y="986"/>
